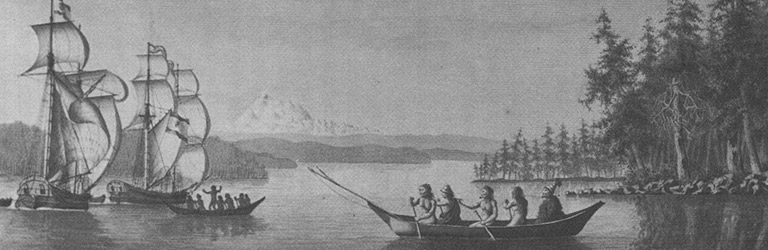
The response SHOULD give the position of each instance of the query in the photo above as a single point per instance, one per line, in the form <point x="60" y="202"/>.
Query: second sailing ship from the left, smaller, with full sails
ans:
<point x="173" y="124"/>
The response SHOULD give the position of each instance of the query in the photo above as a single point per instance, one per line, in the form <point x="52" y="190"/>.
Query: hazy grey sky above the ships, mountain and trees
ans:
<point x="476" y="68"/>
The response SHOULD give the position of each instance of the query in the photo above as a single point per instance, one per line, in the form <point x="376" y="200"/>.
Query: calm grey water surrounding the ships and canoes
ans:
<point x="300" y="212"/>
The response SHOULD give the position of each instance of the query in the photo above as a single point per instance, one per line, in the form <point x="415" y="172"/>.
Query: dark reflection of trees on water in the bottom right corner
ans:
<point x="702" y="222"/>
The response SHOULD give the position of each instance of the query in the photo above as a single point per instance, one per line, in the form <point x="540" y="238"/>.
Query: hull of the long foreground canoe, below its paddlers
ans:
<point x="572" y="224"/>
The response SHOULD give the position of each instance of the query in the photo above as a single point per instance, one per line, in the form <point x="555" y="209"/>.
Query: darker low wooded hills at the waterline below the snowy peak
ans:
<point x="315" y="152"/>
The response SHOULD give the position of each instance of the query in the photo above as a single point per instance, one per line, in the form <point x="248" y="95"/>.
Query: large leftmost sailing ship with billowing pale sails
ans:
<point x="80" y="123"/>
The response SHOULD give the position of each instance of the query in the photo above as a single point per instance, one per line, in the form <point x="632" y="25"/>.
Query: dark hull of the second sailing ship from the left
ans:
<point x="121" y="192"/>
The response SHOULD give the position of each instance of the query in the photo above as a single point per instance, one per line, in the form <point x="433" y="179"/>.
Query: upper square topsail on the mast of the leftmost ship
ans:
<point x="70" y="48"/>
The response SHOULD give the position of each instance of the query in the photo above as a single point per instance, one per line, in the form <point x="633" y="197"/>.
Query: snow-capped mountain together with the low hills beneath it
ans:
<point x="284" y="128"/>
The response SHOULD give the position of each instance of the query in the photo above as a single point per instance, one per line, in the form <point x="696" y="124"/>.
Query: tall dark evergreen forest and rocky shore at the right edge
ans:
<point x="688" y="101"/>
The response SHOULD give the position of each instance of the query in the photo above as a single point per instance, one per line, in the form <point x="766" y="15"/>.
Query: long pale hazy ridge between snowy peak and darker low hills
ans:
<point x="420" y="142"/>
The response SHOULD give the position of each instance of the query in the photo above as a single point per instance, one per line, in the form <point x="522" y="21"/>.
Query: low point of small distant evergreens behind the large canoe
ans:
<point x="561" y="155"/>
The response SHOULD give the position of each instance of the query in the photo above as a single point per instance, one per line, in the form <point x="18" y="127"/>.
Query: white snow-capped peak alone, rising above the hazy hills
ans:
<point x="269" y="115"/>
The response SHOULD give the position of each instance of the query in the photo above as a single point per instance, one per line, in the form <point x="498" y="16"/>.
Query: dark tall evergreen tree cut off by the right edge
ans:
<point x="738" y="68"/>
